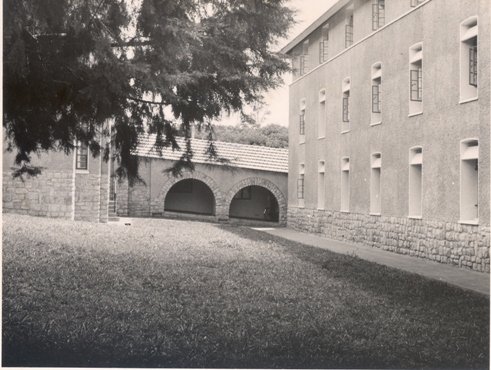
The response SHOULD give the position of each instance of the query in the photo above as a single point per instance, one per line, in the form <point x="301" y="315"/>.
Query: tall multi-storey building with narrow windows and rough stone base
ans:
<point x="390" y="127"/>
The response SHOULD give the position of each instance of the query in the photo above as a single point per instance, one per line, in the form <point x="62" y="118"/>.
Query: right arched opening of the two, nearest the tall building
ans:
<point x="254" y="203"/>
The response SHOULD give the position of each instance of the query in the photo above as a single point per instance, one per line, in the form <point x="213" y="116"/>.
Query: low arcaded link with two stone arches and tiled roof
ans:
<point x="252" y="185"/>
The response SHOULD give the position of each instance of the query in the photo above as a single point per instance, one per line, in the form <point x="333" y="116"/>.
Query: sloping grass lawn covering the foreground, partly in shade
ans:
<point x="164" y="293"/>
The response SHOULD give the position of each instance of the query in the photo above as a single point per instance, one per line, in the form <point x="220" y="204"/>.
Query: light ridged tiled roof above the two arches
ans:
<point x="245" y="156"/>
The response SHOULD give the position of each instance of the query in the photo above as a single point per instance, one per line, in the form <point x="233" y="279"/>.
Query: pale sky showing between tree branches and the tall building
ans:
<point x="277" y="100"/>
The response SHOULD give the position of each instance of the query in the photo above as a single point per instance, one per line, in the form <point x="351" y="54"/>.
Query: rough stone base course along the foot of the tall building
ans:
<point x="452" y="243"/>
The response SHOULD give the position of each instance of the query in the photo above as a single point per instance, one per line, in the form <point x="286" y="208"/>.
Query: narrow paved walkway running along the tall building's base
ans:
<point x="466" y="279"/>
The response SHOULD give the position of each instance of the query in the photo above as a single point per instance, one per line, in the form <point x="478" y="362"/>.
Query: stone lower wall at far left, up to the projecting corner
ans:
<point x="48" y="194"/>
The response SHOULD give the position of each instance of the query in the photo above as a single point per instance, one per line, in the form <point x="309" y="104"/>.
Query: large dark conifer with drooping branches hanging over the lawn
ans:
<point x="70" y="66"/>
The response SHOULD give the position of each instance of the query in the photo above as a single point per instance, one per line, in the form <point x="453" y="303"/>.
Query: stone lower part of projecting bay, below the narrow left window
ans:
<point x="87" y="197"/>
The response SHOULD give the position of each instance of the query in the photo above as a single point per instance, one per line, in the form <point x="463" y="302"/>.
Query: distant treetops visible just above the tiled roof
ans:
<point x="272" y="135"/>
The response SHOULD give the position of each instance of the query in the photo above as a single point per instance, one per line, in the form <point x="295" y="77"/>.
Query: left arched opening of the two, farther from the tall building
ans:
<point x="190" y="196"/>
